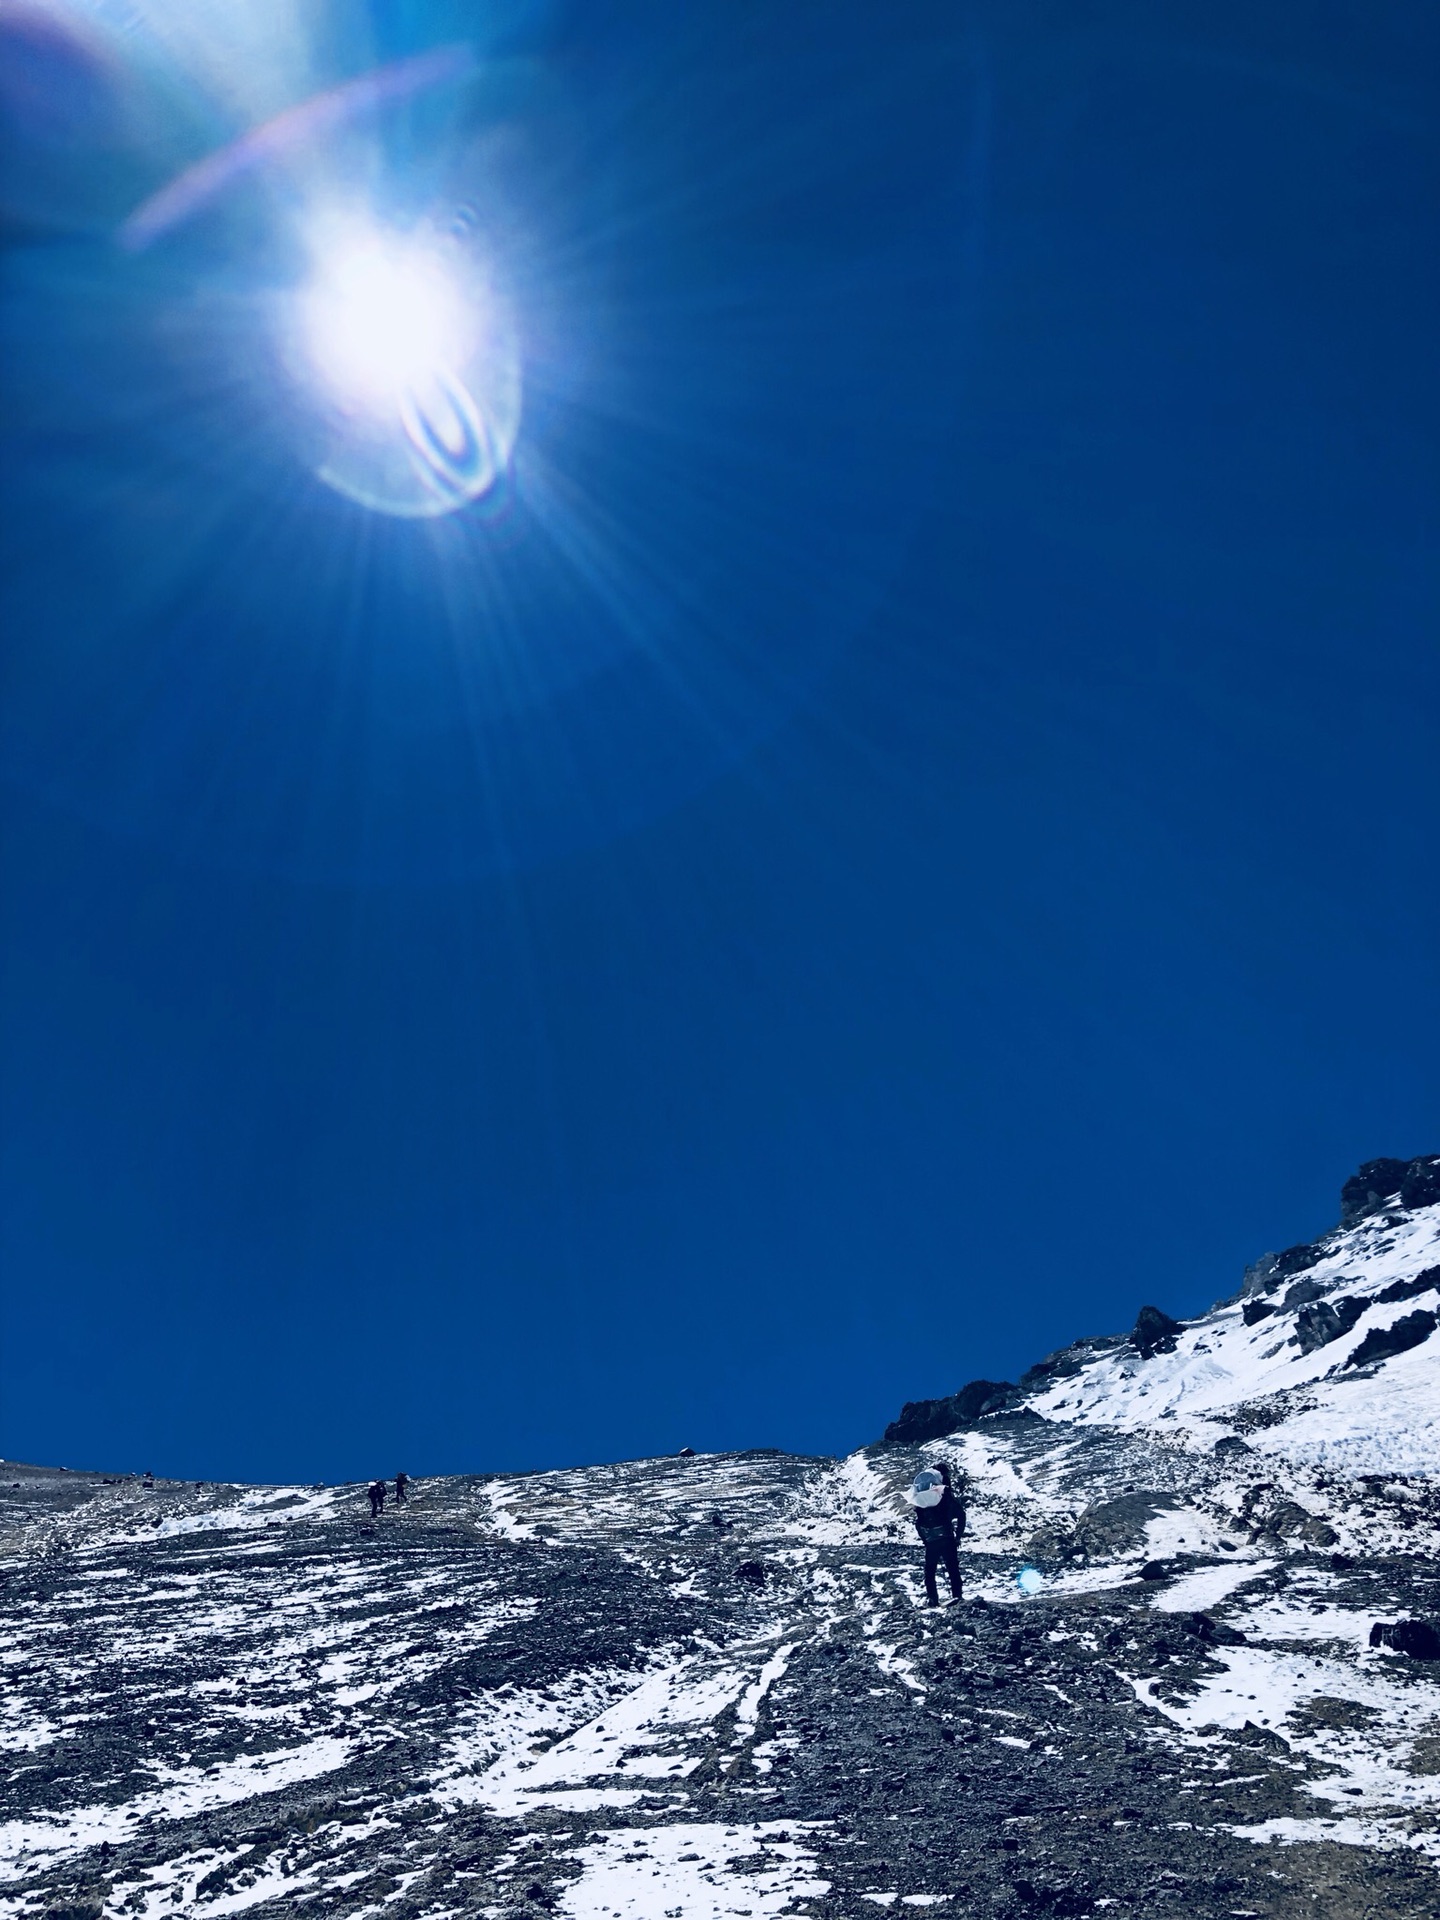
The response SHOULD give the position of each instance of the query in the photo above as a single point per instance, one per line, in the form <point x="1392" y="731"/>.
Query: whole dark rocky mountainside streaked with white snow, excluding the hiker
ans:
<point x="708" y="1687"/>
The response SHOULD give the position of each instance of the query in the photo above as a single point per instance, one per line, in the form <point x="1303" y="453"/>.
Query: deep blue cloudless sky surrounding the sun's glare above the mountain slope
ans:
<point x="901" y="832"/>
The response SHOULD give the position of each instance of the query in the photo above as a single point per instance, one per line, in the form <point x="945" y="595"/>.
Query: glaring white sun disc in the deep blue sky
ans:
<point x="381" y="320"/>
